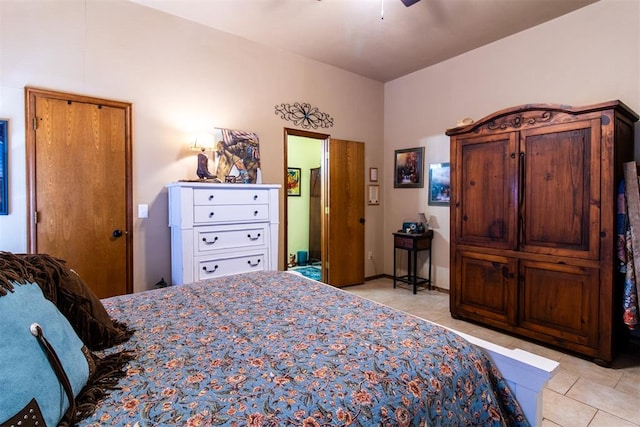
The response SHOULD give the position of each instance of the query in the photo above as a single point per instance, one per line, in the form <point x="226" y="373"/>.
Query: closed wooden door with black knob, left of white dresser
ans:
<point x="79" y="169"/>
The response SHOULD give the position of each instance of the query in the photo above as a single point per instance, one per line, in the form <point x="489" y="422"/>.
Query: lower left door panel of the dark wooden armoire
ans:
<point x="486" y="286"/>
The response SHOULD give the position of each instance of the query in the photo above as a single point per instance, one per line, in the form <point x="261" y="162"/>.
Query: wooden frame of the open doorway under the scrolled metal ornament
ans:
<point x="323" y="194"/>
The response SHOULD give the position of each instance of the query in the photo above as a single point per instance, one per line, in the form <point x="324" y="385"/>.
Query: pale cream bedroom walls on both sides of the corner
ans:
<point x="183" y="78"/>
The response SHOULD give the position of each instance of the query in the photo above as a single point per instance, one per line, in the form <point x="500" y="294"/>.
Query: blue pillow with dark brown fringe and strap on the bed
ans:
<point x="65" y="387"/>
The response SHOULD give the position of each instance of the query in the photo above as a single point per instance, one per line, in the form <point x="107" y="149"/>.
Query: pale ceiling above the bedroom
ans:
<point x="354" y="36"/>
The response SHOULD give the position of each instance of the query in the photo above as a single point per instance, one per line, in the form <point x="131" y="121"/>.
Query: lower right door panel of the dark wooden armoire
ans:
<point x="560" y="301"/>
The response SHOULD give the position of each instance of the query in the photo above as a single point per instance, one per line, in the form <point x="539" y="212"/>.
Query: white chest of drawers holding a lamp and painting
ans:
<point x="222" y="229"/>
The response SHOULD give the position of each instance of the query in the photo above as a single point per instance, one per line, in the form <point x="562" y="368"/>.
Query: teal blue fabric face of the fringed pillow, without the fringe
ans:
<point x="25" y="371"/>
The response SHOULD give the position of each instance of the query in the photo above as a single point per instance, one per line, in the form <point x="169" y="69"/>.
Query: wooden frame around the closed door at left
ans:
<point x="31" y="94"/>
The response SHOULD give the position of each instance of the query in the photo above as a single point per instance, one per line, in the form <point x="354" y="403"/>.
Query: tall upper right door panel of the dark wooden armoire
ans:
<point x="560" y="208"/>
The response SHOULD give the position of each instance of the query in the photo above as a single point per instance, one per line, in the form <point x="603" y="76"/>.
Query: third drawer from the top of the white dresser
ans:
<point x="229" y="237"/>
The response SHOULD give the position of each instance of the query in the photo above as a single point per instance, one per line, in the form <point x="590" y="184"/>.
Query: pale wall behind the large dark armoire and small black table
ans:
<point x="585" y="57"/>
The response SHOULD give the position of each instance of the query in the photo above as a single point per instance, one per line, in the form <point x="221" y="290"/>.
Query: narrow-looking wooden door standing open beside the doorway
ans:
<point x="346" y="213"/>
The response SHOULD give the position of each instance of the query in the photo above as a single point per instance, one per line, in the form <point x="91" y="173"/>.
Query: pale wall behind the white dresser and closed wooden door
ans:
<point x="182" y="79"/>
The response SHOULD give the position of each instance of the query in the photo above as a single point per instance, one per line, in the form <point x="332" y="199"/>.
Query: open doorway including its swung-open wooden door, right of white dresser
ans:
<point x="338" y="165"/>
